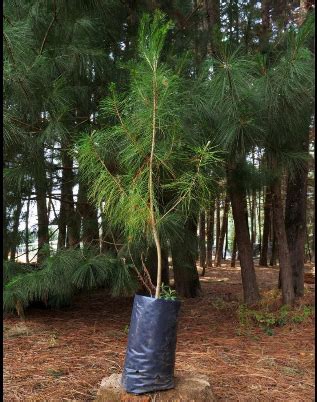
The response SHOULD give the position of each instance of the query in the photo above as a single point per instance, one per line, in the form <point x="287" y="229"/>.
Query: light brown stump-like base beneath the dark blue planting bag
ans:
<point x="188" y="388"/>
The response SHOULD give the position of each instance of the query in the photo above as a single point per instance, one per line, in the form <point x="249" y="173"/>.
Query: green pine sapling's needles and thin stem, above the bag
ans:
<point x="145" y="169"/>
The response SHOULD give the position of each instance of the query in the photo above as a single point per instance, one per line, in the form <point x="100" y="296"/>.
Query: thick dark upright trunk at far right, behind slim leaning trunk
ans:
<point x="295" y="223"/>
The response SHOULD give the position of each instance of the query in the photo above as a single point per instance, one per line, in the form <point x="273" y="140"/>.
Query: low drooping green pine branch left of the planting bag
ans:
<point x="61" y="276"/>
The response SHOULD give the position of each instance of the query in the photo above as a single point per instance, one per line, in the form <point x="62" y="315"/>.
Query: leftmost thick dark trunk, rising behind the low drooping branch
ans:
<point x="42" y="217"/>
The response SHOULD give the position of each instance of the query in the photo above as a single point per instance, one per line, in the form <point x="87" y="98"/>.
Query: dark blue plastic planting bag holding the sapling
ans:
<point x="150" y="357"/>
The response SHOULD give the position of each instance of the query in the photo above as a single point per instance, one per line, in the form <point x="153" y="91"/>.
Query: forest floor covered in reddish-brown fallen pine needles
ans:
<point x="63" y="355"/>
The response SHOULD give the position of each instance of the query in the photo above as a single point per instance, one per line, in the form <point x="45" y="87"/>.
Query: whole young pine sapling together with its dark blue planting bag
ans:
<point x="143" y="154"/>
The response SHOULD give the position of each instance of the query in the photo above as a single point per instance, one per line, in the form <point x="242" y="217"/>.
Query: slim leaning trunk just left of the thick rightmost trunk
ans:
<point x="284" y="257"/>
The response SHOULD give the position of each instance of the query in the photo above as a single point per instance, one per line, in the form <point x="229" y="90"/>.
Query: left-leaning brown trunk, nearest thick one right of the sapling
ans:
<point x="239" y="211"/>
